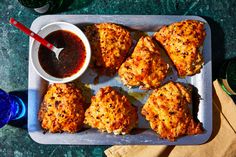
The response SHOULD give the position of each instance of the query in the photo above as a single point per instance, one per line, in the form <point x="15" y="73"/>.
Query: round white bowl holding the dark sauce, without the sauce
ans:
<point x="43" y="33"/>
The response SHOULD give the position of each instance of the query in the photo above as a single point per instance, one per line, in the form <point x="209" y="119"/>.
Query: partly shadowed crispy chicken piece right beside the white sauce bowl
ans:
<point x="110" y="44"/>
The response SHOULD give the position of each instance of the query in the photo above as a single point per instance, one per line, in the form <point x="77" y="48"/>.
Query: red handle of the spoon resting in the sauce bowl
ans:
<point x="30" y="33"/>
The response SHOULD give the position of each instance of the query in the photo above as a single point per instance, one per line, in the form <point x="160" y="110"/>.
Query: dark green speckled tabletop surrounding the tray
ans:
<point x="15" y="141"/>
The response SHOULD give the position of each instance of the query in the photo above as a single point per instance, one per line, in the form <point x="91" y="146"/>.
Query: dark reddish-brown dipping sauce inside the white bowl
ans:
<point x="71" y="58"/>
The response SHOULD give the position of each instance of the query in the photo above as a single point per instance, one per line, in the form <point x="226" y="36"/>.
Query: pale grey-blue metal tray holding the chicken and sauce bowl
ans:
<point x="143" y="134"/>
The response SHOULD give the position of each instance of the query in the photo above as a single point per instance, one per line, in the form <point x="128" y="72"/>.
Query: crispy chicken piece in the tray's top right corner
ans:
<point x="182" y="41"/>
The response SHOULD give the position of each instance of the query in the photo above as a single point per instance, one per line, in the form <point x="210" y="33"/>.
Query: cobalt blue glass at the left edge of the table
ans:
<point x="11" y="108"/>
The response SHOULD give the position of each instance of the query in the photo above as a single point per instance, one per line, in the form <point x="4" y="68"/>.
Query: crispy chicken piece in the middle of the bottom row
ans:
<point x="112" y="112"/>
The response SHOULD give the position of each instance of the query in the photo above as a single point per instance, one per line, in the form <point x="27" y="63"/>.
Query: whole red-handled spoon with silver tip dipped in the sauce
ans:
<point x="36" y="37"/>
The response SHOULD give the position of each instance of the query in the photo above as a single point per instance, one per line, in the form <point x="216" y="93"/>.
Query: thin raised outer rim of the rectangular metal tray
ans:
<point x="139" y="16"/>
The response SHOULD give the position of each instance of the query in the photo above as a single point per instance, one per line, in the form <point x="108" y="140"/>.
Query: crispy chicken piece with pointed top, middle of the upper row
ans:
<point x="144" y="68"/>
